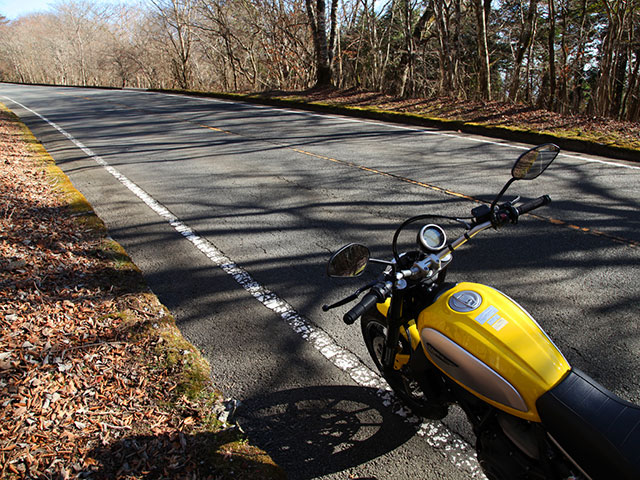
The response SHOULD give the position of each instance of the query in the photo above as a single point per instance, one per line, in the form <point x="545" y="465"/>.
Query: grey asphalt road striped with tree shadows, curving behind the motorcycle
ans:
<point x="244" y="205"/>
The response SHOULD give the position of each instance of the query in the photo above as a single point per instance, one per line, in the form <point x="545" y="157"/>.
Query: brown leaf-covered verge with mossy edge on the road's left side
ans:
<point x="96" y="381"/>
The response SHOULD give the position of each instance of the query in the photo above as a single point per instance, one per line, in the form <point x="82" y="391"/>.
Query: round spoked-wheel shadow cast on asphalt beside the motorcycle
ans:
<point x="316" y="431"/>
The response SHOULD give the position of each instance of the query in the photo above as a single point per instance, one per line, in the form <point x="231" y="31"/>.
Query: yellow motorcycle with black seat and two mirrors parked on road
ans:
<point x="438" y="343"/>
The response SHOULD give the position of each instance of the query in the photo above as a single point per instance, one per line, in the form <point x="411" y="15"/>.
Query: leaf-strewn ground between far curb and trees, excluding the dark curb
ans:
<point x="497" y="114"/>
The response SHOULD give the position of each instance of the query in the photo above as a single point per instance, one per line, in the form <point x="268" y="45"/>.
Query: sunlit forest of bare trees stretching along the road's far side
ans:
<point x="568" y="56"/>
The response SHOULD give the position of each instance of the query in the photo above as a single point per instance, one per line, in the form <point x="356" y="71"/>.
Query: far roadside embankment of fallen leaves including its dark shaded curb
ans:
<point x="513" y="122"/>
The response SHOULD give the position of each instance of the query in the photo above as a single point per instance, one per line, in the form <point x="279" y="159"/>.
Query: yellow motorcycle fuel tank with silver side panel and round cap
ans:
<point x="492" y="347"/>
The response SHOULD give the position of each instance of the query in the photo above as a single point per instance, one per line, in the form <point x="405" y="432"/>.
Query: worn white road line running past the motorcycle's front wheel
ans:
<point x="438" y="436"/>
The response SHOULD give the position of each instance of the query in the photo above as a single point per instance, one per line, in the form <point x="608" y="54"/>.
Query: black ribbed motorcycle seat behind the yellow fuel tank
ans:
<point x="596" y="428"/>
